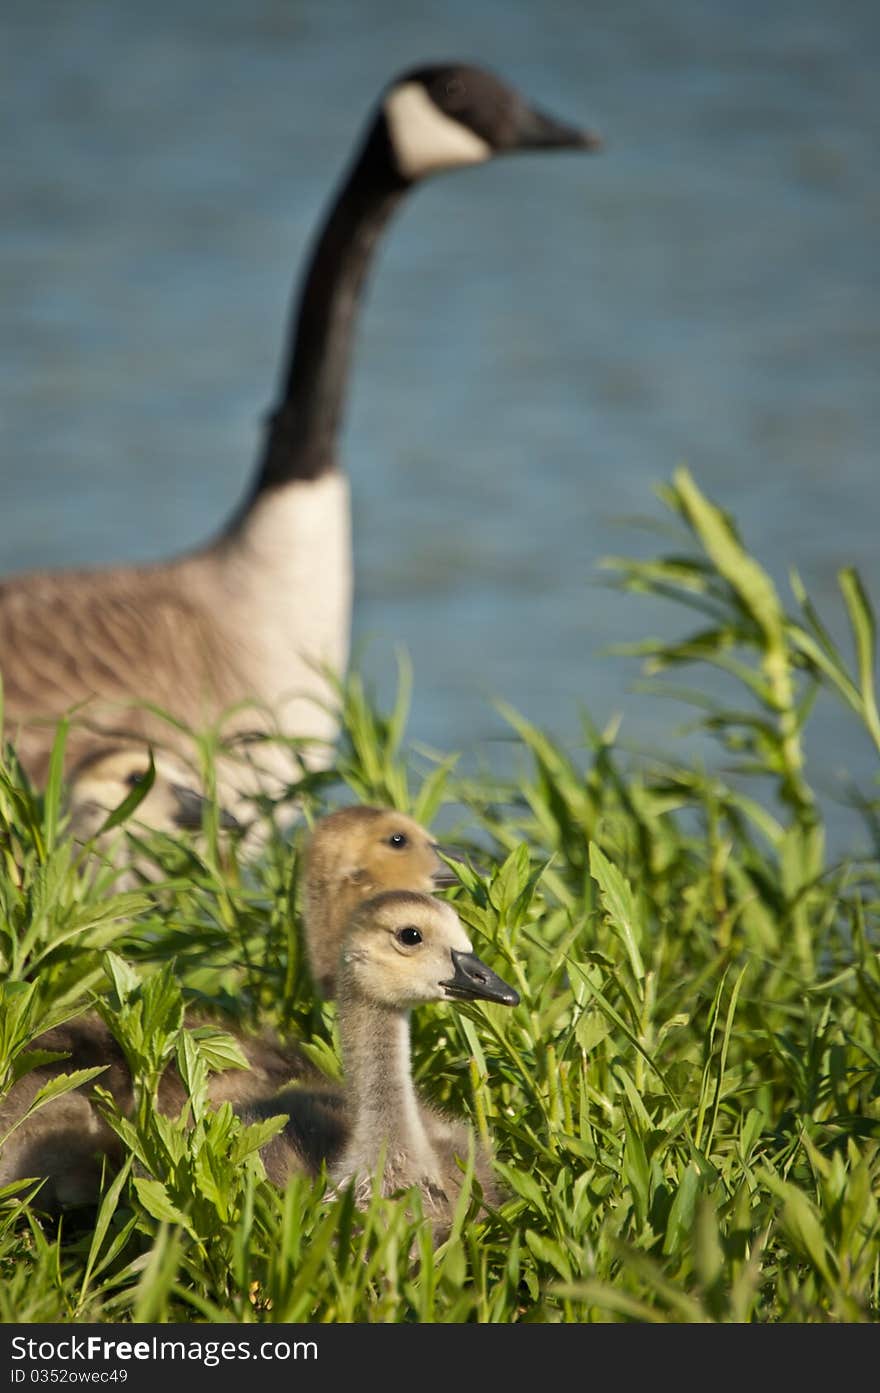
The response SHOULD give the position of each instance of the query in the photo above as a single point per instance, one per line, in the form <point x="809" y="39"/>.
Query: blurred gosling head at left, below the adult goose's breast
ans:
<point x="102" y="781"/>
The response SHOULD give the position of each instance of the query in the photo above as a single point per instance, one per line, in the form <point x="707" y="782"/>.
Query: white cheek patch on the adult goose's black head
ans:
<point x="424" y="139"/>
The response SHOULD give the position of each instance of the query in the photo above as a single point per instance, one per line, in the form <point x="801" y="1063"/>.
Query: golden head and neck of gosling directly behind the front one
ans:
<point x="352" y="856"/>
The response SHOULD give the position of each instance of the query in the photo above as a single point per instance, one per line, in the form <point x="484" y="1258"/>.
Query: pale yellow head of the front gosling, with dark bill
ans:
<point x="403" y="949"/>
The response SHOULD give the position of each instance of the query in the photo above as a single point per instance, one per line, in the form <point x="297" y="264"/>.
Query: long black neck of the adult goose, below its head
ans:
<point x="304" y="428"/>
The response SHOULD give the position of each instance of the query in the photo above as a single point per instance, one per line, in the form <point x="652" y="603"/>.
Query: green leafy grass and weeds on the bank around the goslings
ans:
<point x="686" y="1107"/>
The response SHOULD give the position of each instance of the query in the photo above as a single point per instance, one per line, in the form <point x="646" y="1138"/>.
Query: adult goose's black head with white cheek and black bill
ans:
<point x="449" y="115"/>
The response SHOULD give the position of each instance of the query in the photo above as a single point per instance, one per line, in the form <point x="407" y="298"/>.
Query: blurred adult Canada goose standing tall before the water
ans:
<point x="251" y="623"/>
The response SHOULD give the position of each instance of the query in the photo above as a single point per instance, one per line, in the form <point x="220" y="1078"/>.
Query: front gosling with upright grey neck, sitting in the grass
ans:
<point x="400" y="951"/>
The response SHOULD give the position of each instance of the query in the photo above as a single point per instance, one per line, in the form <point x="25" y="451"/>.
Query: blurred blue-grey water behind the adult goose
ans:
<point x="544" y="342"/>
